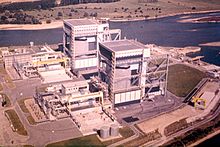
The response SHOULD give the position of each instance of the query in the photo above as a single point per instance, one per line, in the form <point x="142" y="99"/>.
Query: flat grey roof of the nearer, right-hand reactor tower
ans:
<point x="123" y="45"/>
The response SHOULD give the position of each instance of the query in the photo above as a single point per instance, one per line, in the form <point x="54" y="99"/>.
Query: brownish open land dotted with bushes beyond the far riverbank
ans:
<point x="129" y="9"/>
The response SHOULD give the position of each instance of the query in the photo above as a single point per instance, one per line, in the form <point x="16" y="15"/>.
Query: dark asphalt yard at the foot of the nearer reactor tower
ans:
<point x="146" y="109"/>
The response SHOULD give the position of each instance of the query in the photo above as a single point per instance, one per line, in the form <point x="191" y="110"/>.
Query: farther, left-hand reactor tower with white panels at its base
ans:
<point x="81" y="40"/>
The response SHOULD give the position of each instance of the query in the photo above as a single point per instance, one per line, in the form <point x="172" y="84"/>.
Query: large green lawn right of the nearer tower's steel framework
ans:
<point x="182" y="79"/>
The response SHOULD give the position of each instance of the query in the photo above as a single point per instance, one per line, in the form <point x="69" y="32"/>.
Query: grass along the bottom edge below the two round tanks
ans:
<point x="92" y="140"/>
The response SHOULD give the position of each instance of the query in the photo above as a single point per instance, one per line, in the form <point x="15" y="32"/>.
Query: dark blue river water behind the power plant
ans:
<point x="164" y="32"/>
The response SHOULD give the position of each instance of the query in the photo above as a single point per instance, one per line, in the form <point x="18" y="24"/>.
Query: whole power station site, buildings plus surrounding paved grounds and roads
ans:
<point x="98" y="83"/>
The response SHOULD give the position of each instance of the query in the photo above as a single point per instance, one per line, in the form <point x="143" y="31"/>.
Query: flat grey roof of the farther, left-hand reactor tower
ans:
<point x="81" y="22"/>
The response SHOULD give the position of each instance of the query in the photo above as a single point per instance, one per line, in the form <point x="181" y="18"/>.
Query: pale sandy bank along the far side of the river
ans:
<point x="59" y="24"/>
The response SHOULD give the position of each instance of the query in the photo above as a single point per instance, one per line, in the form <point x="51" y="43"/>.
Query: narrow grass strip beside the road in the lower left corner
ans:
<point x="16" y="122"/>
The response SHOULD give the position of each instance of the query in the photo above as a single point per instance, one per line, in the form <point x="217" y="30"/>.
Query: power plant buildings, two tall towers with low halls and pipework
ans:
<point x="95" y="70"/>
